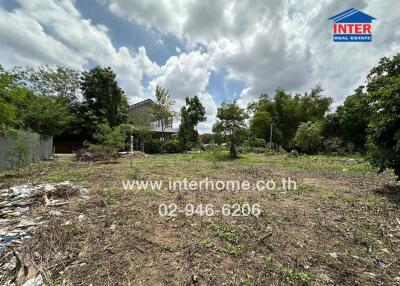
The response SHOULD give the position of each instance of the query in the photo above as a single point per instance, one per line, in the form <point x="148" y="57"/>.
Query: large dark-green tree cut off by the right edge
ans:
<point x="383" y="89"/>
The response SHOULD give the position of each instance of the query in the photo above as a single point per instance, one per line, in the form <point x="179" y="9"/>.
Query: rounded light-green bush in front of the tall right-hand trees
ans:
<point x="308" y="137"/>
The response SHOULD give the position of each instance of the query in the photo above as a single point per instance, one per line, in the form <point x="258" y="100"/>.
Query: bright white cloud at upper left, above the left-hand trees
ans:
<point x="49" y="32"/>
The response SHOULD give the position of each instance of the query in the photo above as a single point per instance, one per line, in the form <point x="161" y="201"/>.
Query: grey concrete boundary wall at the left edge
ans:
<point x="36" y="147"/>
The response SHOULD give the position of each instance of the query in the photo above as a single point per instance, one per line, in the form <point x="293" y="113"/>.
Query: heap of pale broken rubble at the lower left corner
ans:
<point x="23" y="209"/>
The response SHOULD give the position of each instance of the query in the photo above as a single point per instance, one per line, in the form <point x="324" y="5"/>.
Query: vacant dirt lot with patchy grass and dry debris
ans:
<point x="340" y="227"/>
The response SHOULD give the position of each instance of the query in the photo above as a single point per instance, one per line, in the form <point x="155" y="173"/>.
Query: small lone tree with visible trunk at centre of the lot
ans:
<point x="230" y="124"/>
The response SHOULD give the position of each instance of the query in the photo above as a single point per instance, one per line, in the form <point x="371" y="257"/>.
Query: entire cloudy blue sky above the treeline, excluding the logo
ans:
<point x="217" y="49"/>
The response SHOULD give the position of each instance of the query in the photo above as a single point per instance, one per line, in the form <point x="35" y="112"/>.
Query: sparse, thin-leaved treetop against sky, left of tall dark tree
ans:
<point x="51" y="81"/>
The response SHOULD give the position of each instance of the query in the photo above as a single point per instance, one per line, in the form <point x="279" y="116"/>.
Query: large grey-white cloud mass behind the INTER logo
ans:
<point x="271" y="44"/>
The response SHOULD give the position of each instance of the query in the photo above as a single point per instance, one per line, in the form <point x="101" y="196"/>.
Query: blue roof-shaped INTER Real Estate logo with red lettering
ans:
<point x="352" y="26"/>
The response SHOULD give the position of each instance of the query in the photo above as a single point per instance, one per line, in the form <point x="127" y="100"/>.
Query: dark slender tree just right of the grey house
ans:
<point x="191" y="115"/>
